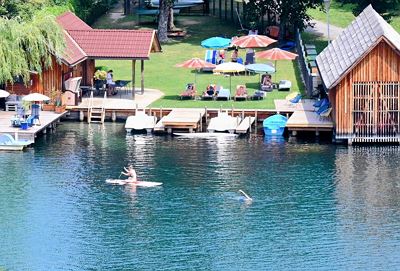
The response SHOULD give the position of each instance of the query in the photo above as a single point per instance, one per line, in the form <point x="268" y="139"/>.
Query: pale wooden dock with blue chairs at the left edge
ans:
<point x="47" y="120"/>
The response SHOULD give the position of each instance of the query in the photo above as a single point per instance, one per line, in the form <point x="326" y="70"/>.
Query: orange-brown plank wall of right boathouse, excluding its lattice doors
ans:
<point x="382" y="64"/>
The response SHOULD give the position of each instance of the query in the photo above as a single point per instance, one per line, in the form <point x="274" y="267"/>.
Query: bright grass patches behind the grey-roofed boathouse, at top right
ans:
<point x="342" y="15"/>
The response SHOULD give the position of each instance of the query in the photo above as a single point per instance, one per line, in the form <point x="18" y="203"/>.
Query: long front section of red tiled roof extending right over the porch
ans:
<point x="125" y="44"/>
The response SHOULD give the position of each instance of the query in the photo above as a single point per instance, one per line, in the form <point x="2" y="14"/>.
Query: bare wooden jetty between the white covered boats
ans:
<point x="181" y="118"/>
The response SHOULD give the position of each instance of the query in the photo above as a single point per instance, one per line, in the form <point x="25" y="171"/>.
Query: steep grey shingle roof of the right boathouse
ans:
<point x="352" y="44"/>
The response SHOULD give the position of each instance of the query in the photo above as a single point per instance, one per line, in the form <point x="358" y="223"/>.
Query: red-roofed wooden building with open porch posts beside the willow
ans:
<point x="83" y="46"/>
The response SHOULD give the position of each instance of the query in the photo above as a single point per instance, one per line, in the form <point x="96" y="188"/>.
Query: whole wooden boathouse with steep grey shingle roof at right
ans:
<point x="360" y="71"/>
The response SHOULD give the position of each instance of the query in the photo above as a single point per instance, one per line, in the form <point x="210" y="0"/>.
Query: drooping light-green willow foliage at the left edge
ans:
<point x="29" y="45"/>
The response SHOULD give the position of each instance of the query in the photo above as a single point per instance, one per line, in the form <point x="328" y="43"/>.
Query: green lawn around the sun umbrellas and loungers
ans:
<point x="161" y="74"/>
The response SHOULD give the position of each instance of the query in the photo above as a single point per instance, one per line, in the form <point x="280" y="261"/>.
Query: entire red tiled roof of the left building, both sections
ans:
<point x="84" y="42"/>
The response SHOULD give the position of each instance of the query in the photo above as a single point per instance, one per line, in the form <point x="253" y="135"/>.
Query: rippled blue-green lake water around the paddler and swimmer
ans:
<point x="315" y="207"/>
